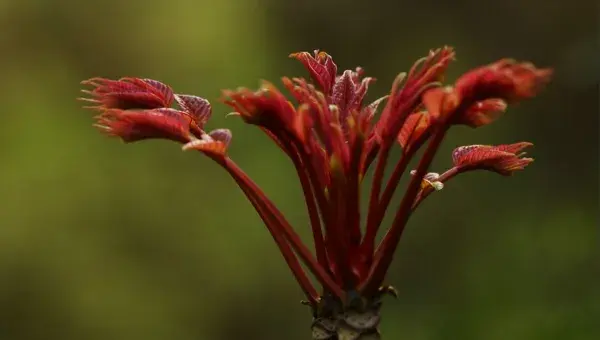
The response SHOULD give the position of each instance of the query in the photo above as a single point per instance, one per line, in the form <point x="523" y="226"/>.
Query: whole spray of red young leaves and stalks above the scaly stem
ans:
<point x="331" y="138"/>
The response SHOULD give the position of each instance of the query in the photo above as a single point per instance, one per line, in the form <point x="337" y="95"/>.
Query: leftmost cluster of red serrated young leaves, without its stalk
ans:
<point x="136" y="109"/>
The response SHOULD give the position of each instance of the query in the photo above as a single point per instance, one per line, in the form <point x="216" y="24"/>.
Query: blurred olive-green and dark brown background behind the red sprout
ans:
<point x="99" y="240"/>
